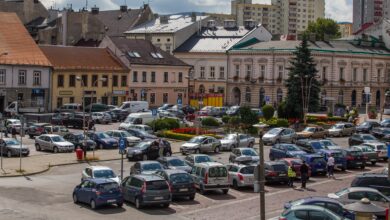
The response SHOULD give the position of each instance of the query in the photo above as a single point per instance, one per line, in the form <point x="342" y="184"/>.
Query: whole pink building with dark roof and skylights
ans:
<point x="155" y="75"/>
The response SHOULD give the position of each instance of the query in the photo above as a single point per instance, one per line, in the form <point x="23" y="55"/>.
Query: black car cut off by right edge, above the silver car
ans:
<point x="377" y="181"/>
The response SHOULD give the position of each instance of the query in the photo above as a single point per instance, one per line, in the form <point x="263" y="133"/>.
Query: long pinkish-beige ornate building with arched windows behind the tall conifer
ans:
<point x="257" y="73"/>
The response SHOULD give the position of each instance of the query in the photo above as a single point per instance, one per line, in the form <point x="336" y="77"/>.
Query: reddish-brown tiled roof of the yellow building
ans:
<point x="82" y="58"/>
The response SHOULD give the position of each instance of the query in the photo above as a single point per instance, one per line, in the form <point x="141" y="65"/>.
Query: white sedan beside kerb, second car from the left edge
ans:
<point x="53" y="142"/>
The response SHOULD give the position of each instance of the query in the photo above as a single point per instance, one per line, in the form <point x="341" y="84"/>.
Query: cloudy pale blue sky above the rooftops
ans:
<point x="339" y="10"/>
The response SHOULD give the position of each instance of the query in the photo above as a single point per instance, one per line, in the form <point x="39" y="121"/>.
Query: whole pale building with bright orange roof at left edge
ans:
<point x="24" y="69"/>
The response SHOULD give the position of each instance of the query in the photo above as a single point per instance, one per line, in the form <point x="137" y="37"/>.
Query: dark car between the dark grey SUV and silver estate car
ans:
<point x="181" y="183"/>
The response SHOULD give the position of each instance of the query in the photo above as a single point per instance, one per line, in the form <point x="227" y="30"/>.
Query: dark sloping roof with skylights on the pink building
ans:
<point x="145" y="49"/>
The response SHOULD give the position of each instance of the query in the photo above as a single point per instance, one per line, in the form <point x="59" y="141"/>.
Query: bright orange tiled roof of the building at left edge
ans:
<point x="18" y="44"/>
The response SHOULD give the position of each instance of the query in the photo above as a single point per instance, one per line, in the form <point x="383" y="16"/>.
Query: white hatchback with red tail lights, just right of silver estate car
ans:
<point x="241" y="175"/>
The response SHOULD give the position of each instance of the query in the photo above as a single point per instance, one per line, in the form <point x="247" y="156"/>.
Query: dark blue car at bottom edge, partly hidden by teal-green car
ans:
<point x="328" y="203"/>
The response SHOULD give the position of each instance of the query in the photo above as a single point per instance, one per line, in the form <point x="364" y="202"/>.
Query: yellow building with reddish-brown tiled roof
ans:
<point x="93" y="72"/>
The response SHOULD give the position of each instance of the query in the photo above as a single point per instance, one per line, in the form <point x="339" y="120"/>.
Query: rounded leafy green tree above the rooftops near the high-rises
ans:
<point x="323" y="26"/>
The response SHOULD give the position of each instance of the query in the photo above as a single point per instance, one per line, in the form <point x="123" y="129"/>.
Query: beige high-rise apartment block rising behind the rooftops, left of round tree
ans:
<point x="281" y="17"/>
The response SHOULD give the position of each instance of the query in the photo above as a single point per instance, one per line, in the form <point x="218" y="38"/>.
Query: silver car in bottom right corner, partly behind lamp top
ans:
<point x="355" y="194"/>
